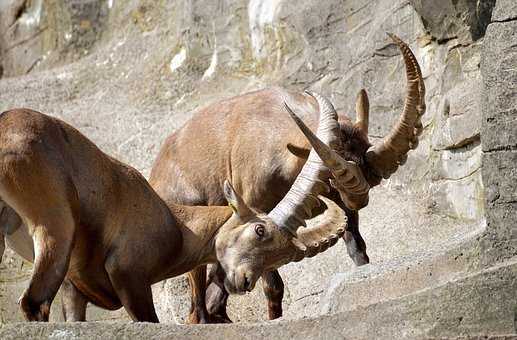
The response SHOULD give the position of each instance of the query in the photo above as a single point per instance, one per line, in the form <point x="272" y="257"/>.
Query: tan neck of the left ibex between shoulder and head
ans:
<point x="199" y="226"/>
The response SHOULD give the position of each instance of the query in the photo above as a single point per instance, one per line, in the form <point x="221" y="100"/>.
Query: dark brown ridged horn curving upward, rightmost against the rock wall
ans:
<point x="386" y="156"/>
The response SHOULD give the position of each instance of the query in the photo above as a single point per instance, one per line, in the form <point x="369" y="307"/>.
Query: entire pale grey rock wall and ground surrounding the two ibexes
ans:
<point x="440" y="233"/>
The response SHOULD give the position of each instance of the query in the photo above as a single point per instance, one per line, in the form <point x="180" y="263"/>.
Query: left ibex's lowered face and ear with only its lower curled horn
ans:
<point x="251" y="242"/>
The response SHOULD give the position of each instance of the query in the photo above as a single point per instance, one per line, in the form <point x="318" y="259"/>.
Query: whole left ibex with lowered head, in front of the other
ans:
<point x="96" y="225"/>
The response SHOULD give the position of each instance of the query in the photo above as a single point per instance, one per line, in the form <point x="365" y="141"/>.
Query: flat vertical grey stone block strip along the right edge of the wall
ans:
<point x="499" y="134"/>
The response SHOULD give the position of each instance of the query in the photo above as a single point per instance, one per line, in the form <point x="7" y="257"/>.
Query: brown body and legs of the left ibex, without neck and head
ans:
<point x="84" y="210"/>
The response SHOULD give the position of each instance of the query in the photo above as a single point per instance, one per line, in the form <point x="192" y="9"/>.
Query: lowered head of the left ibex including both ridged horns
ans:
<point x="252" y="242"/>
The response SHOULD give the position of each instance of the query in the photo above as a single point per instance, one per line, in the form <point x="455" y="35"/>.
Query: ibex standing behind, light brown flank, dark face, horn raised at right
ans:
<point x="248" y="139"/>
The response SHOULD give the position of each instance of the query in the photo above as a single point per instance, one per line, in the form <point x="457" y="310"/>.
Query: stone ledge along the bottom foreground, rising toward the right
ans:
<point x="479" y="305"/>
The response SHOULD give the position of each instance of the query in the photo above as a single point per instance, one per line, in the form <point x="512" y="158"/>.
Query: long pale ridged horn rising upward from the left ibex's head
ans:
<point x="292" y="211"/>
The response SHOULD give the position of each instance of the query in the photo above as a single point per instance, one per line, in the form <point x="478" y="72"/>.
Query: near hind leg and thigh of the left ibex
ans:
<point x="47" y="202"/>
